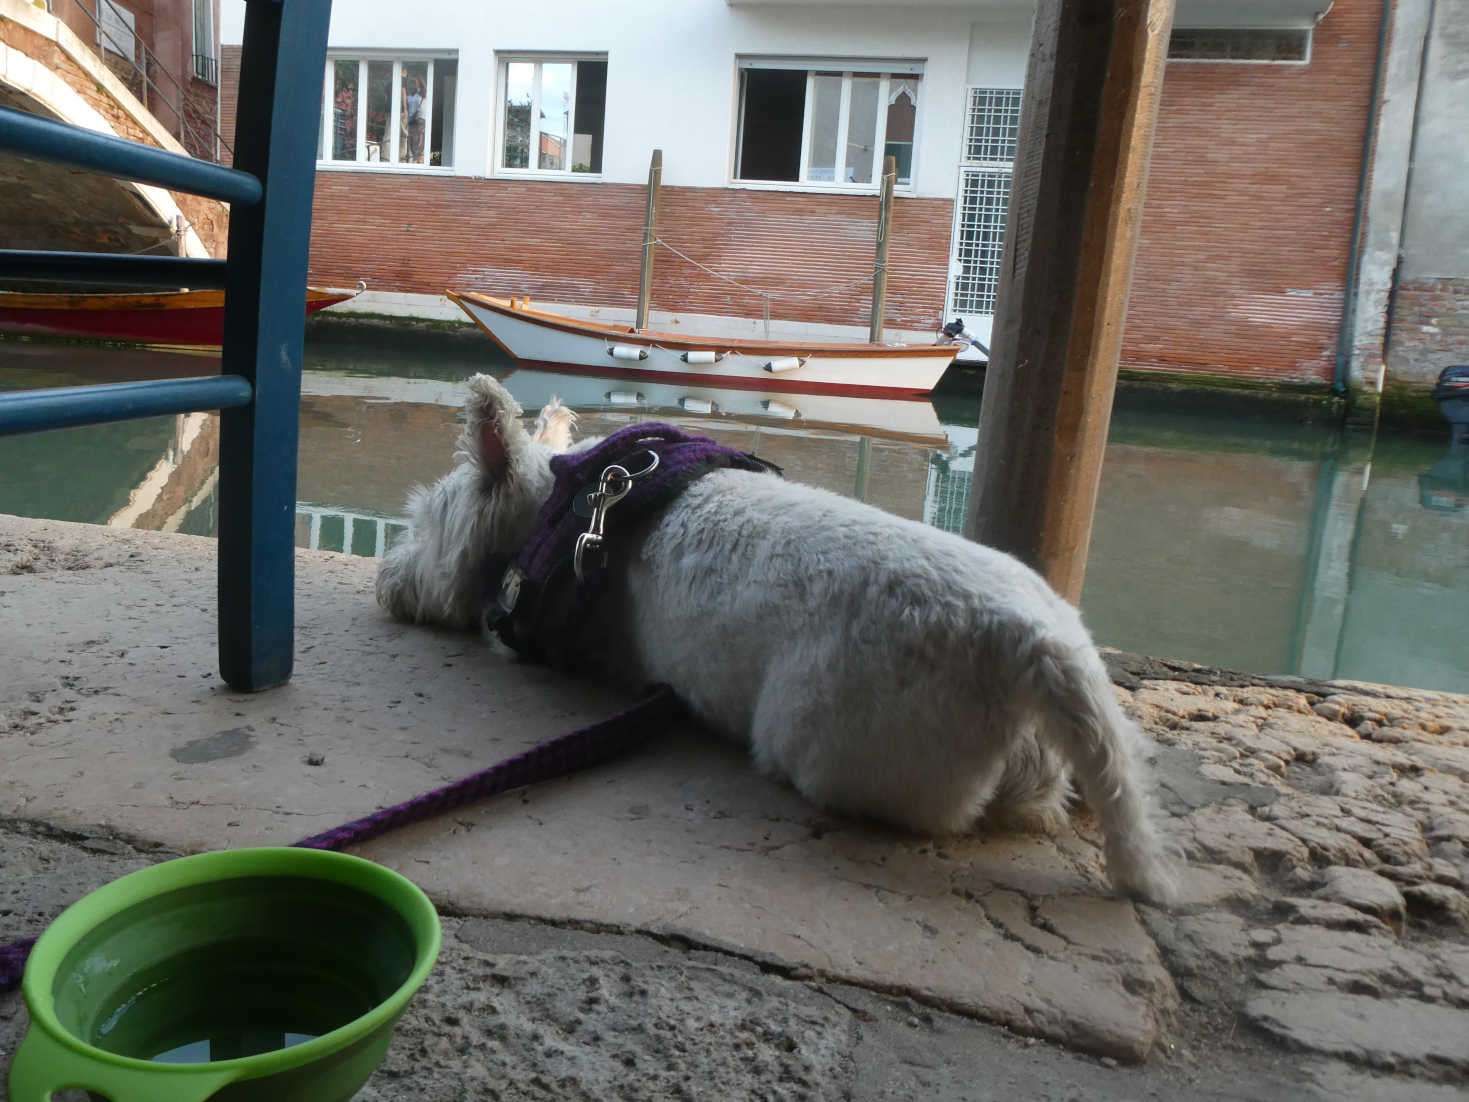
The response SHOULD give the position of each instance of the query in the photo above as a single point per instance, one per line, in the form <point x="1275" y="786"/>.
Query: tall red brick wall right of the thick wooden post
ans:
<point x="1248" y="221"/>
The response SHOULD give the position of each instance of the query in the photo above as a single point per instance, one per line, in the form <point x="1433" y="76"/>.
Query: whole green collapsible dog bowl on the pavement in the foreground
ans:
<point x="272" y="975"/>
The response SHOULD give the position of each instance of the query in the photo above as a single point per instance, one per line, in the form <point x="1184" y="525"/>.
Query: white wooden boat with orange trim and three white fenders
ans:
<point x="559" y="343"/>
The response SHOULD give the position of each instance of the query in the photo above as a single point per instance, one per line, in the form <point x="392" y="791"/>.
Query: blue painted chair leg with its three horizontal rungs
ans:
<point x="259" y="389"/>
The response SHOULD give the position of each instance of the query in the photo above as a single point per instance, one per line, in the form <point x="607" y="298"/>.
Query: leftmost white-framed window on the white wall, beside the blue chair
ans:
<point x="390" y="112"/>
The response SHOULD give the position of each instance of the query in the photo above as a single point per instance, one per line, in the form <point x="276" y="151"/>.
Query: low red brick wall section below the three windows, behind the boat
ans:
<point x="581" y="243"/>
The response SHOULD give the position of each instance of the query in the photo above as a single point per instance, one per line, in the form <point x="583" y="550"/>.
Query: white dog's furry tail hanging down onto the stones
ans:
<point x="1105" y="750"/>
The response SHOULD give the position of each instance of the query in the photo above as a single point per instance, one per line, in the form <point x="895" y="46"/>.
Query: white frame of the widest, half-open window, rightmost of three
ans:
<point x="847" y="68"/>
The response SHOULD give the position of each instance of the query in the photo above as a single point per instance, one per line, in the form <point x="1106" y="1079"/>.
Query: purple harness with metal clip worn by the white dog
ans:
<point x="552" y="599"/>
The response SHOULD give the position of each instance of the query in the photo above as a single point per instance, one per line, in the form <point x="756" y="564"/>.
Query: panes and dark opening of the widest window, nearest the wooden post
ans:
<point x="829" y="124"/>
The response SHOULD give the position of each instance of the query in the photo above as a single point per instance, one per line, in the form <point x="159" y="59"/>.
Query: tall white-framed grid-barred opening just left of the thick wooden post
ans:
<point x="991" y="134"/>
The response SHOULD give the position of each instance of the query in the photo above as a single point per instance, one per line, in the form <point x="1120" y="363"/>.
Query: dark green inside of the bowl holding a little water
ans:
<point x="255" y="966"/>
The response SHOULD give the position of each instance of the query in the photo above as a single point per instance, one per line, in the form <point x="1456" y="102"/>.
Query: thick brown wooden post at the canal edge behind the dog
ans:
<point x="1092" y="90"/>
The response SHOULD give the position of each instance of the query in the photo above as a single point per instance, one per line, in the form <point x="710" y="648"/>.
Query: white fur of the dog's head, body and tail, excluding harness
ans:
<point x="885" y="668"/>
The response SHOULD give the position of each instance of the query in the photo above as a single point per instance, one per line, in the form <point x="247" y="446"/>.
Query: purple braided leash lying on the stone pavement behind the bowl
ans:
<point x="555" y="759"/>
